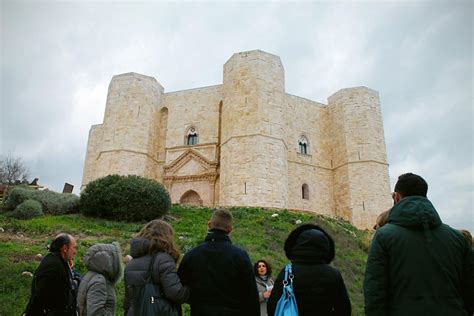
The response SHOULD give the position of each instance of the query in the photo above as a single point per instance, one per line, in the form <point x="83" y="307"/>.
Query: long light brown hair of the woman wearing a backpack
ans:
<point x="160" y="235"/>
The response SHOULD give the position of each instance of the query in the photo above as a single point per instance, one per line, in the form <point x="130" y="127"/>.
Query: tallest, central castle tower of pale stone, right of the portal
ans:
<point x="253" y="165"/>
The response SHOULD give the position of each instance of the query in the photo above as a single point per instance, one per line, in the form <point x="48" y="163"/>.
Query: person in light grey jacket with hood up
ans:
<point x="96" y="294"/>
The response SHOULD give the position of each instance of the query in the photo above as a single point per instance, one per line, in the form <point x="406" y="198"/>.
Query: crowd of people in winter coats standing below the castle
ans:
<point x="416" y="266"/>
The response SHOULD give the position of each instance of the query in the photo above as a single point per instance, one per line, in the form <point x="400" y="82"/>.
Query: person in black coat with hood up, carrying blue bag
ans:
<point x="319" y="288"/>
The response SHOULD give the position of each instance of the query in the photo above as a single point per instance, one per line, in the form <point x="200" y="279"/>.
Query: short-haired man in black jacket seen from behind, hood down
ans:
<point x="220" y="274"/>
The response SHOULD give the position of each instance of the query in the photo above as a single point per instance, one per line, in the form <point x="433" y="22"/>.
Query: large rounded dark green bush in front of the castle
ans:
<point x="129" y="198"/>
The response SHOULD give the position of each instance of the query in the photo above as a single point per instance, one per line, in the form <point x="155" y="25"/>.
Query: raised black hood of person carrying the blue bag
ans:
<point x="309" y="243"/>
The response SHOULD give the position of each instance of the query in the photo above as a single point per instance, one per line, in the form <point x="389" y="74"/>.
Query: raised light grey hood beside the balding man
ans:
<point x="105" y="259"/>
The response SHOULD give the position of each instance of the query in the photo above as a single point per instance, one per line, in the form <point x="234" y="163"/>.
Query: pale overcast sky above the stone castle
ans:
<point x="58" y="58"/>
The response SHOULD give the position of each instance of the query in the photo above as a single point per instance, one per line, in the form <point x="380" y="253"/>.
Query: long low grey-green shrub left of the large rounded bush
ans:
<point x="52" y="202"/>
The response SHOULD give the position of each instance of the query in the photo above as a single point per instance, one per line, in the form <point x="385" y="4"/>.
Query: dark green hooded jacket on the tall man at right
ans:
<point x="417" y="265"/>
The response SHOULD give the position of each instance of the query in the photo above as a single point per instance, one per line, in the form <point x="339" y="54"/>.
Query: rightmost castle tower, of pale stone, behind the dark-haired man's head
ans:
<point x="359" y="159"/>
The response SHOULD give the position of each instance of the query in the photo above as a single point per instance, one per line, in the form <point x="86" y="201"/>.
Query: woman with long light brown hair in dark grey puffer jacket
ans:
<point x="155" y="239"/>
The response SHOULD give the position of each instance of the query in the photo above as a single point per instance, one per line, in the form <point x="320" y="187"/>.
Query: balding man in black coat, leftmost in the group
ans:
<point x="53" y="292"/>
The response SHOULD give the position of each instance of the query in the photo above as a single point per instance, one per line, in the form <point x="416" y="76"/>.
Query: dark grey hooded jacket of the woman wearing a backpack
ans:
<point x="163" y="273"/>
